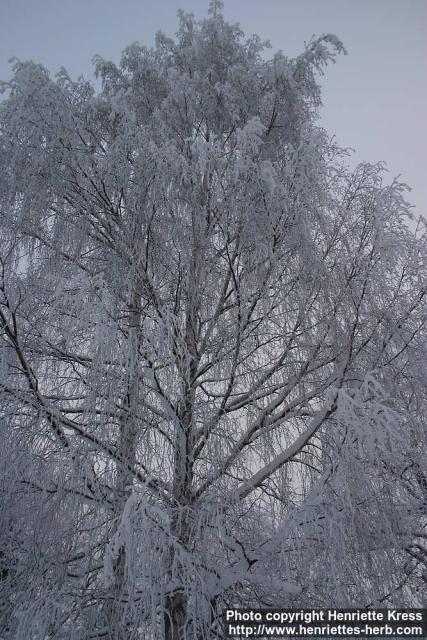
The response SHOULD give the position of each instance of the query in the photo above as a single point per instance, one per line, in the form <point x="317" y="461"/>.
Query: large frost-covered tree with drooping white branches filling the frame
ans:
<point x="212" y="348"/>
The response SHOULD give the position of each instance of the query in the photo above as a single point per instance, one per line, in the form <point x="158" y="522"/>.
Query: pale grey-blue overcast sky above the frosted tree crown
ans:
<point x="375" y="99"/>
